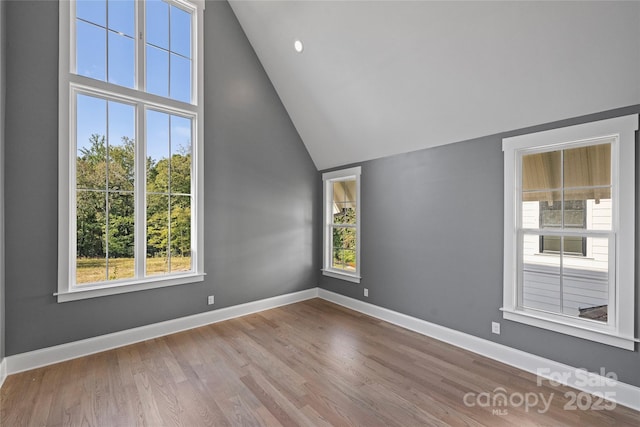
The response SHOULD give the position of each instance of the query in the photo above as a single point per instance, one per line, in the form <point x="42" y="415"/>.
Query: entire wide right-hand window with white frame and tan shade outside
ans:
<point x="569" y="231"/>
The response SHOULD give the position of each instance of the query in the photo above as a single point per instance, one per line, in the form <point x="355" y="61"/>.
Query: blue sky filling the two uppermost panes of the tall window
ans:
<point x="106" y="45"/>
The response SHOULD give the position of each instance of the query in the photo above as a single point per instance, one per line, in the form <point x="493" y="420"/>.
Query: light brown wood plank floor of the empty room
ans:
<point x="310" y="363"/>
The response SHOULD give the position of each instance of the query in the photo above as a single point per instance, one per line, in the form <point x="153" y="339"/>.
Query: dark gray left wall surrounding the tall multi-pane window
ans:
<point x="261" y="190"/>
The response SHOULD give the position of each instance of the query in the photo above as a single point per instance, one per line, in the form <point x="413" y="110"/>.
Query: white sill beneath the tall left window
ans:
<point x="88" y="291"/>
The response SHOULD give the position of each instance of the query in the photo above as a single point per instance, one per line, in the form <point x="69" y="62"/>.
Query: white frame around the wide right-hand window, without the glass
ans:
<point x="619" y="330"/>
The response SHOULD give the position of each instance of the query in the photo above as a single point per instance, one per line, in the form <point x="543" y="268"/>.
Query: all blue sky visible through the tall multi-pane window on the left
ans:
<point x="106" y="51"/>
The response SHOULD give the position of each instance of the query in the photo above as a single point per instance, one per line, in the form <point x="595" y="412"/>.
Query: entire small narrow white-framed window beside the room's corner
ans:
<point x="342" y="224"/>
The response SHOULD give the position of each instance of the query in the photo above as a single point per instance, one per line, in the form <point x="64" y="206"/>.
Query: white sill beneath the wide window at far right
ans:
<point x="586" y="331"/>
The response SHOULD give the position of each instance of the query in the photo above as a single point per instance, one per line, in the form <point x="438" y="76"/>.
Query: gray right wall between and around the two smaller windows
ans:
<point x="432" y="239"/>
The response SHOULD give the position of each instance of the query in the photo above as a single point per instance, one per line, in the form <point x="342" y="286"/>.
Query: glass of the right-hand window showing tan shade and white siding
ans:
<point x="567" y="273"/>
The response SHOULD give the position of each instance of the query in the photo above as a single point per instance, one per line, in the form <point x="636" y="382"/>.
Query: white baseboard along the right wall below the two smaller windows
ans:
<point x="623" y="394"/>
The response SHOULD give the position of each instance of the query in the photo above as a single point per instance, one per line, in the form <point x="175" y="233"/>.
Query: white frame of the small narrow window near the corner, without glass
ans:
<point x="328" y="179"/>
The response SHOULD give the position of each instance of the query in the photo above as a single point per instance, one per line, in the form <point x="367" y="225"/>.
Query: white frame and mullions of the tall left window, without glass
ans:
<point x="70" y="84"/>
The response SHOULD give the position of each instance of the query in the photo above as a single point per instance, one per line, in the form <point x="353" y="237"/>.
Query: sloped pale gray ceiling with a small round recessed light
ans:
<point x="378" y="78"/>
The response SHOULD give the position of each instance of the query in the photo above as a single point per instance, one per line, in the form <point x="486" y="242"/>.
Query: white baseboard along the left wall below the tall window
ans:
<point x="47" y="356"/>
